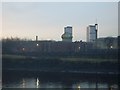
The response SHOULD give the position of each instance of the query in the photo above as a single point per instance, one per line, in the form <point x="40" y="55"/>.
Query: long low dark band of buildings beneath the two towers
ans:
<point x="108" y="45"/>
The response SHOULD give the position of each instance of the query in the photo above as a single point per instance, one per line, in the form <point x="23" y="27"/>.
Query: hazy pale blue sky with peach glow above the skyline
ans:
<point x="47" y="19"/>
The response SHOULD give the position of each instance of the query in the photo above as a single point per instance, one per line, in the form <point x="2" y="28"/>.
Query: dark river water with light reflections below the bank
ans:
<point x="41" y="80"/>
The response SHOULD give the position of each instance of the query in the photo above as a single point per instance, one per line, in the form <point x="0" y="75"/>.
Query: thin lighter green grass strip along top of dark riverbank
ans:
<point x="68" y="59"/>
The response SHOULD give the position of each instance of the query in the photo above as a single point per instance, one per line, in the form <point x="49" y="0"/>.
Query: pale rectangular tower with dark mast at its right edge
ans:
<point x="92" y="33"/>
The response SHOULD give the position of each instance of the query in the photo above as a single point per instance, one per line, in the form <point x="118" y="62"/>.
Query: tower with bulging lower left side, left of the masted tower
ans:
<point x="67" y="36"/>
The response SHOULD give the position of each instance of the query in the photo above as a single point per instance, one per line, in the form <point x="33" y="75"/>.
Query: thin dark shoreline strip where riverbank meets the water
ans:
<point x="61" y="72"/>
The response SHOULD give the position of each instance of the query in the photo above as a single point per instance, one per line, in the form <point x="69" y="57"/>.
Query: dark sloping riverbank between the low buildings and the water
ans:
<point x="61" y="64"/>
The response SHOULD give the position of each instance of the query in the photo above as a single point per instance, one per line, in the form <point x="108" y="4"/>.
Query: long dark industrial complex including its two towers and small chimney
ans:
<point x="65" y="46"/>
